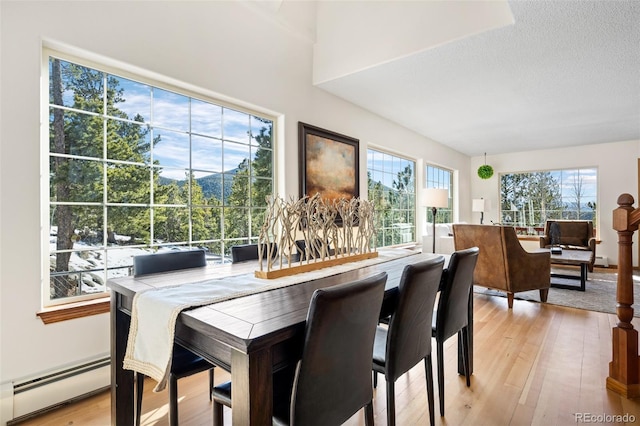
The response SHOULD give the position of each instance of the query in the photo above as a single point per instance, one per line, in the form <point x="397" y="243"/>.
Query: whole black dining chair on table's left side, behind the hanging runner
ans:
<point x="183" y="362"/>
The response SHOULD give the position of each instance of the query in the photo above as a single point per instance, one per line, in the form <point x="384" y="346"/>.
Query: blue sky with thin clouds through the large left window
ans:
<point x="216" y="132"/>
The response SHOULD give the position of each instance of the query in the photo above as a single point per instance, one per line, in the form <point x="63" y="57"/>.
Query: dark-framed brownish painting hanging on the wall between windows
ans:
<point x="329" y="163"/>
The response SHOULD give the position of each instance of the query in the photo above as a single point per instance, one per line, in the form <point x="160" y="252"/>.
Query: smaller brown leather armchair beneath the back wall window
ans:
<point x="570" y="235"/>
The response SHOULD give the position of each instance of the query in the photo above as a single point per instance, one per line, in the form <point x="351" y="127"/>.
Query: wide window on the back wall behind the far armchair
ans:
<point x="528" y="199"/>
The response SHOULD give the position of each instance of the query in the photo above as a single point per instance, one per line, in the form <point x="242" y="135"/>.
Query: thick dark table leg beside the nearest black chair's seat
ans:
<point x="252" y="396"/>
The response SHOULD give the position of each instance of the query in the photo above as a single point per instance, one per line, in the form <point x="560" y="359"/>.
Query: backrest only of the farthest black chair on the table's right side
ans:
<point x="453" y="304"/>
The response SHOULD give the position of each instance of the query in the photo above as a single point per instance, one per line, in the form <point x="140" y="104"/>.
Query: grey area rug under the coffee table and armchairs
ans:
<point x="600" y="294"/>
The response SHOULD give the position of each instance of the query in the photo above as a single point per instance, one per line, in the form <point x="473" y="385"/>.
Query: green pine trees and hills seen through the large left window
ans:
<point x="103" y="184"/>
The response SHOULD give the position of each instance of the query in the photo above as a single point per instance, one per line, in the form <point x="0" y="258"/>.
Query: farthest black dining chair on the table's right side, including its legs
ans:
<point x="452" y="314"/>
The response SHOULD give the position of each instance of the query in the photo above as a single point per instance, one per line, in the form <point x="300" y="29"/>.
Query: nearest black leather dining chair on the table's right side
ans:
<point x="332" y="380"/>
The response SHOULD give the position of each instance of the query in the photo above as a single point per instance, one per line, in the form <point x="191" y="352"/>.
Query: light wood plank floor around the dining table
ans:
<point x="538" y="364"/>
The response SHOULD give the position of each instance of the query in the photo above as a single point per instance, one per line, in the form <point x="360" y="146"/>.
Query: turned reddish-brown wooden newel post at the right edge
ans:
<point x="624" y="369"/>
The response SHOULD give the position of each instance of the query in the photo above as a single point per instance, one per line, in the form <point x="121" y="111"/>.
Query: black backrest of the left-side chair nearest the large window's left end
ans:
<point x="168" y="261"/>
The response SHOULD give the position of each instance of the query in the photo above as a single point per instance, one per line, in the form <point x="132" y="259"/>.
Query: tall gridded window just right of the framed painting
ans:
<point x="392" y="189"/>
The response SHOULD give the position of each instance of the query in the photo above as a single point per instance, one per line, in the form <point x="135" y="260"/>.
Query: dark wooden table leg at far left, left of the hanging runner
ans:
<point x="122" y="395"/>
